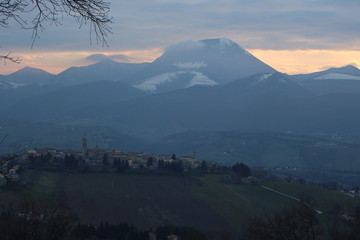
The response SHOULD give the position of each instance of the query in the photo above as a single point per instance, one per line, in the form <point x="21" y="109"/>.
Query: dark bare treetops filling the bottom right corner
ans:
<point x="304" y="223"/>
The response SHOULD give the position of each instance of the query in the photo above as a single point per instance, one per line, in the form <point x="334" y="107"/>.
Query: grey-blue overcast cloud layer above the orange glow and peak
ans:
<point x="256" y="24"/>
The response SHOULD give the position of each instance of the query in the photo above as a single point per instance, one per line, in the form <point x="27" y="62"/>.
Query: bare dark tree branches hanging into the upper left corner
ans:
<point x="94" y="12"/>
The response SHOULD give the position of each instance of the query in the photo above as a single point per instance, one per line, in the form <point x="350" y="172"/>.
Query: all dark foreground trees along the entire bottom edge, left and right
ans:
<point x="34" y="221"/>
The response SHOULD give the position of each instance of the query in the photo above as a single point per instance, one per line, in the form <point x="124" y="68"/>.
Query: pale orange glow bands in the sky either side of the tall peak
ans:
<point x="286" y="61"/>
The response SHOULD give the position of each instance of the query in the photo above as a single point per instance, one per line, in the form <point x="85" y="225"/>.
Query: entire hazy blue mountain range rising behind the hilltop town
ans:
<point x="208" y="85"/>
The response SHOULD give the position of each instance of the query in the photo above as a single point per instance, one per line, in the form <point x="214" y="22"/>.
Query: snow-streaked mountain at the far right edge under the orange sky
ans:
<point x="334" y="80"/>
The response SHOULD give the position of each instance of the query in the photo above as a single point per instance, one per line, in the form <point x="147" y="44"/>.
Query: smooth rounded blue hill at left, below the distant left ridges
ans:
<point x="57" y="103"/>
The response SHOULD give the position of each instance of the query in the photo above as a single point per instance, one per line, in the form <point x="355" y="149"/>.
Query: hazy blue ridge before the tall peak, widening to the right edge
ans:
<point x="271" y="104"/>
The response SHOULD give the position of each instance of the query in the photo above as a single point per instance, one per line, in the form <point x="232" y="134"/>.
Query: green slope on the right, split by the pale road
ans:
<point x="239" y="202"/>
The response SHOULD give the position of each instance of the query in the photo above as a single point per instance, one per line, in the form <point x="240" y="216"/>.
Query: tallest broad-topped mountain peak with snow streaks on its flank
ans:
<point x="207" y="62"/>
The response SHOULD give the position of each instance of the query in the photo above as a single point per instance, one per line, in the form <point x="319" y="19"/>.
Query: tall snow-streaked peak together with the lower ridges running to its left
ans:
<point x="186" y="64"/>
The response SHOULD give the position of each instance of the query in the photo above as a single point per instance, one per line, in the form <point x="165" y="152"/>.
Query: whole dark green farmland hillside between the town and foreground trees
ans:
<point x="147" y="201"/>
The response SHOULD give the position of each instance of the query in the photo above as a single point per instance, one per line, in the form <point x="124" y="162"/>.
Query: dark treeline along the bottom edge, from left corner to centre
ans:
<point x="31" y="220"/>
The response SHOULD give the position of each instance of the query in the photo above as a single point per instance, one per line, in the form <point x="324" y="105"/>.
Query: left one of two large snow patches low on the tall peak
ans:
<point x="149" y="85"/>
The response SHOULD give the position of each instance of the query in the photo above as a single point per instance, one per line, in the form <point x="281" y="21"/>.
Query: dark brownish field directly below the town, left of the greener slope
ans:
<point x="143" y="200"/>
